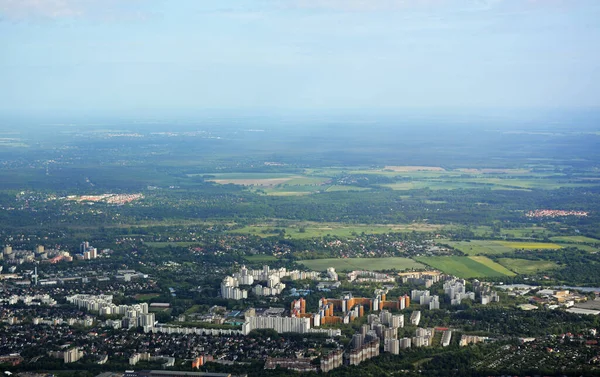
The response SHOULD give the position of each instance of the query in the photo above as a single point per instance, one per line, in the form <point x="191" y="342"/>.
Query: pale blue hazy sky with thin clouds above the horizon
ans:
<point x="165" y="57"/>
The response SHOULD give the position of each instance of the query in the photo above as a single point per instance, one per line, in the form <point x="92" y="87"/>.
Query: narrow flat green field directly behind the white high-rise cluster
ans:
<point x="371" y="264"/>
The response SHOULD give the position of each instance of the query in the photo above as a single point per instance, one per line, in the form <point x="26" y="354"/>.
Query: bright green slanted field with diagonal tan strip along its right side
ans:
<point x="466" y="267"/>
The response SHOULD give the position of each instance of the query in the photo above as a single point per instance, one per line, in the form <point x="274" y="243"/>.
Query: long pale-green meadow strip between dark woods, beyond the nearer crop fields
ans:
<point x="314" y="229"/>
